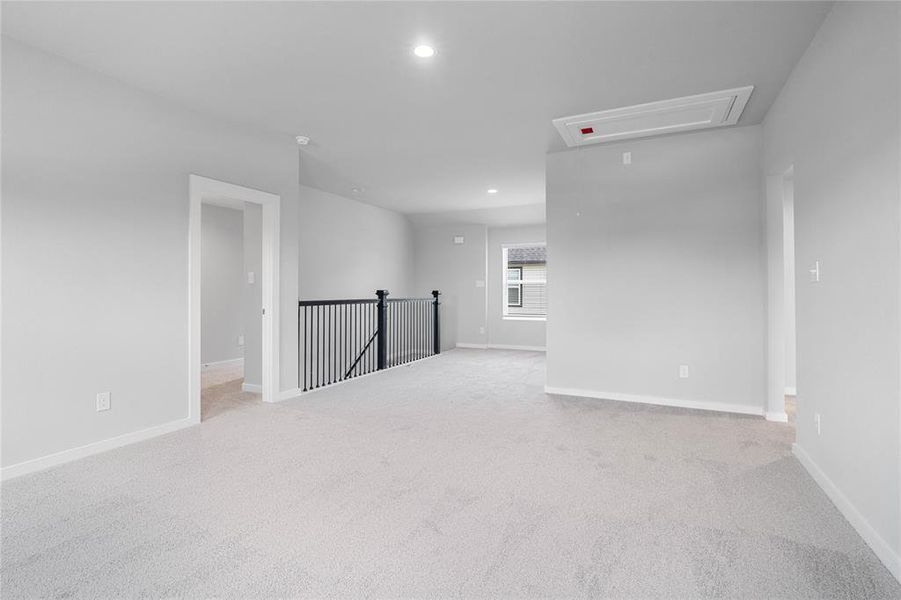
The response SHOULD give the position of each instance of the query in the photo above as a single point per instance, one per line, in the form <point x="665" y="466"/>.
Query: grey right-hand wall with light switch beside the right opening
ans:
<point x="837" y="122"/>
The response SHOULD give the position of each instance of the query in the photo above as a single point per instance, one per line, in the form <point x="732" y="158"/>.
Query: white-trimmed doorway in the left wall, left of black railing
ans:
<point x="233" y="313"/>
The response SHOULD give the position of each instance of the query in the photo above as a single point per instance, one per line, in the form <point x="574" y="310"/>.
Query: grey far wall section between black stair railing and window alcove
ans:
<point x="457" y="270"/>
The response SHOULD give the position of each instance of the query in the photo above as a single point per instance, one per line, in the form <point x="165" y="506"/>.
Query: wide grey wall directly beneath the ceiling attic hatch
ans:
<point x="659" y="264"/>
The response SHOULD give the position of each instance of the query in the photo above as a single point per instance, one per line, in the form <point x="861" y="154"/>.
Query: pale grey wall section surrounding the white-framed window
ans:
<point x="501" y="331"/>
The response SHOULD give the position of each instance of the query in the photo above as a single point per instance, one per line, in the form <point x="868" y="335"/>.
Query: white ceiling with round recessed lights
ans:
<point x="426" y="135"/>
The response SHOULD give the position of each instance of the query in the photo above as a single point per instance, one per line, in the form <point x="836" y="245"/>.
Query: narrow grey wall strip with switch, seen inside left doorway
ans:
<point x="252" y="294"/>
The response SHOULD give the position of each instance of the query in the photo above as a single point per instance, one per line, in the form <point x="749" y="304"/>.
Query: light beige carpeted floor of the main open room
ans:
<point x="453" y="477"/>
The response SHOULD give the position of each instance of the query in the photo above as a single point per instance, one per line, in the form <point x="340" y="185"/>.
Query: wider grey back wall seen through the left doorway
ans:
<point x="222" y="283"/>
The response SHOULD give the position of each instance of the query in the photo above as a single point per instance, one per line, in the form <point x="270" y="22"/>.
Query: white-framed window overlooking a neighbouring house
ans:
<point x="525" y="281"/>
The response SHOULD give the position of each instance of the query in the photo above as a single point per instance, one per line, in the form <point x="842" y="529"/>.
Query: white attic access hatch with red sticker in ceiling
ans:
<point x="714" y="109"/>
